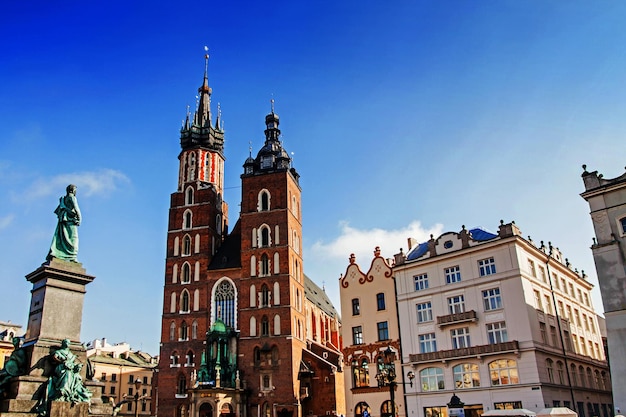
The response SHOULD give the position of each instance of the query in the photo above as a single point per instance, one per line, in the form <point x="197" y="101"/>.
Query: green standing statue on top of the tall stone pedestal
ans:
<point x="65" y="240"/>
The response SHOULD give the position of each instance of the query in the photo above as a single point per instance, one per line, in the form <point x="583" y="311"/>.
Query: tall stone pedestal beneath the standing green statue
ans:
<point x="56" y="312"/>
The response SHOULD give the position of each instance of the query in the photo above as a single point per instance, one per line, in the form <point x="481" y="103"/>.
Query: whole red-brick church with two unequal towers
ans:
<point x="244" y="331"/>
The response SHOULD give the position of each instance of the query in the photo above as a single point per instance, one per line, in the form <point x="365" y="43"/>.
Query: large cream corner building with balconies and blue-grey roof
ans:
<point x="500" y="321"/>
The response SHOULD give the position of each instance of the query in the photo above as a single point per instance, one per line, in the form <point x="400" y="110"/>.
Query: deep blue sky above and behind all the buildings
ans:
<point x="405" y="118"/>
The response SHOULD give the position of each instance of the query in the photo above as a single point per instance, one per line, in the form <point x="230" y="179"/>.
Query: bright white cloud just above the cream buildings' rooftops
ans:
<point x="362" y="242"/>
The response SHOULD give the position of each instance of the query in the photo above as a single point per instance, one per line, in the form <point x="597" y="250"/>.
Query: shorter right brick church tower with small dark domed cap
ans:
<point x="272" y="284"/>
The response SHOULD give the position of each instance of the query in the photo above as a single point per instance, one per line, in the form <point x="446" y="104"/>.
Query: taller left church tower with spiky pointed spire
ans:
<point x="198" y="219"/>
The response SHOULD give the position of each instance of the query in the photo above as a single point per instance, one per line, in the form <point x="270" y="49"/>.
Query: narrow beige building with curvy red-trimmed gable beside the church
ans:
<point x="370" y="326"/>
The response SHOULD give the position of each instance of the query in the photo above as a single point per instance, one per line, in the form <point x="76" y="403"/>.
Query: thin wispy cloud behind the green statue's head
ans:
<point x="91" y="183"/>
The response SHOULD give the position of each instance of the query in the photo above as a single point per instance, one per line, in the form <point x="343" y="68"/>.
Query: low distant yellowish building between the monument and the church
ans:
<point x="121" y="370"/>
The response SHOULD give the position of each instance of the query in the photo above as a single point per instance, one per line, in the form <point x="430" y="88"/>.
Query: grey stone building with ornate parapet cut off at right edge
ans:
<point x="607" y="203"/>
